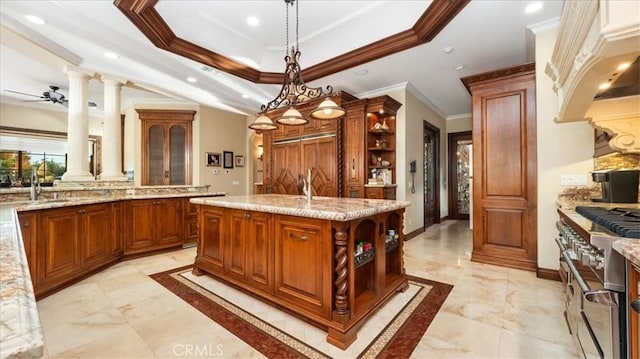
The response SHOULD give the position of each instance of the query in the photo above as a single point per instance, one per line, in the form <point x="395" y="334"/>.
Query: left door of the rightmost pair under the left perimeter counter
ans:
<point x="140" y="225"/>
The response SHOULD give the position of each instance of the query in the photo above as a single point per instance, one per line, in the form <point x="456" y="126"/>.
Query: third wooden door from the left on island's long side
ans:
<point x="259" y="252"/>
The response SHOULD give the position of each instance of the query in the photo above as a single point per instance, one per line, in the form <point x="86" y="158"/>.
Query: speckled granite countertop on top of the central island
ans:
<point x="330" y="208"/>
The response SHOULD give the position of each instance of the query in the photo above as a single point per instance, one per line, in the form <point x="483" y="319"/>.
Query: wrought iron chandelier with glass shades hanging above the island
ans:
<point x="294" y="92"/>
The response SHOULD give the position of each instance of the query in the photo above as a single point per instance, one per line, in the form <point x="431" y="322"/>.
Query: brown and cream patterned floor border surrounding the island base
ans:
<point x="410" y="316"/>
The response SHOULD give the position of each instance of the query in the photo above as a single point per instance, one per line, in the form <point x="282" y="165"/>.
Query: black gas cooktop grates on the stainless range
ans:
<point x="624" y="222"/>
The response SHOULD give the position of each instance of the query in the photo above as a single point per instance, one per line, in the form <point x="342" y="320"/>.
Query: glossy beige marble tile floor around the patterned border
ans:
<point x="492" y="312"/>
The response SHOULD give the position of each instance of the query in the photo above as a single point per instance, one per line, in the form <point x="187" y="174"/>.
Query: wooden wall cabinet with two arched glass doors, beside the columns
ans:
<point x="166" y="147"/>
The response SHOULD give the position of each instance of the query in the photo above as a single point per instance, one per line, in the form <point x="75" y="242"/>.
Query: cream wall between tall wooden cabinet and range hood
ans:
<point x="561" y="149"/>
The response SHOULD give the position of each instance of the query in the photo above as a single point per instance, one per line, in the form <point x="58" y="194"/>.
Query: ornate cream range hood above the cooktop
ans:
<point x="594" y="38"/>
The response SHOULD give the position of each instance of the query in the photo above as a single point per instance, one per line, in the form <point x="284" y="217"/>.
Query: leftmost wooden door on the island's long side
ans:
<point x="211" y="245"/>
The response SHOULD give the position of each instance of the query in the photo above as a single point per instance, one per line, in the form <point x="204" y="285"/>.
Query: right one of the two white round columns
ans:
<point x="112" y="131"/>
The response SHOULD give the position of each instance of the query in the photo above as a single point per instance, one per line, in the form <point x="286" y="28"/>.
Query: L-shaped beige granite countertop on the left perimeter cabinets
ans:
<point x="21" y="334"/>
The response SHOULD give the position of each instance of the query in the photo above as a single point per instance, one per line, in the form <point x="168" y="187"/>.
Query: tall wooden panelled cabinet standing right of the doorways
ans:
<point x="504" y="167"/>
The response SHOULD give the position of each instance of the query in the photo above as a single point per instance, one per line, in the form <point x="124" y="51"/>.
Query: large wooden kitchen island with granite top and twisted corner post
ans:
<point x="332" y="261"/>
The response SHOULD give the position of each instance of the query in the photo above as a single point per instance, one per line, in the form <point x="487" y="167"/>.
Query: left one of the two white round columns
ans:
<point x="78" y="127"/>
